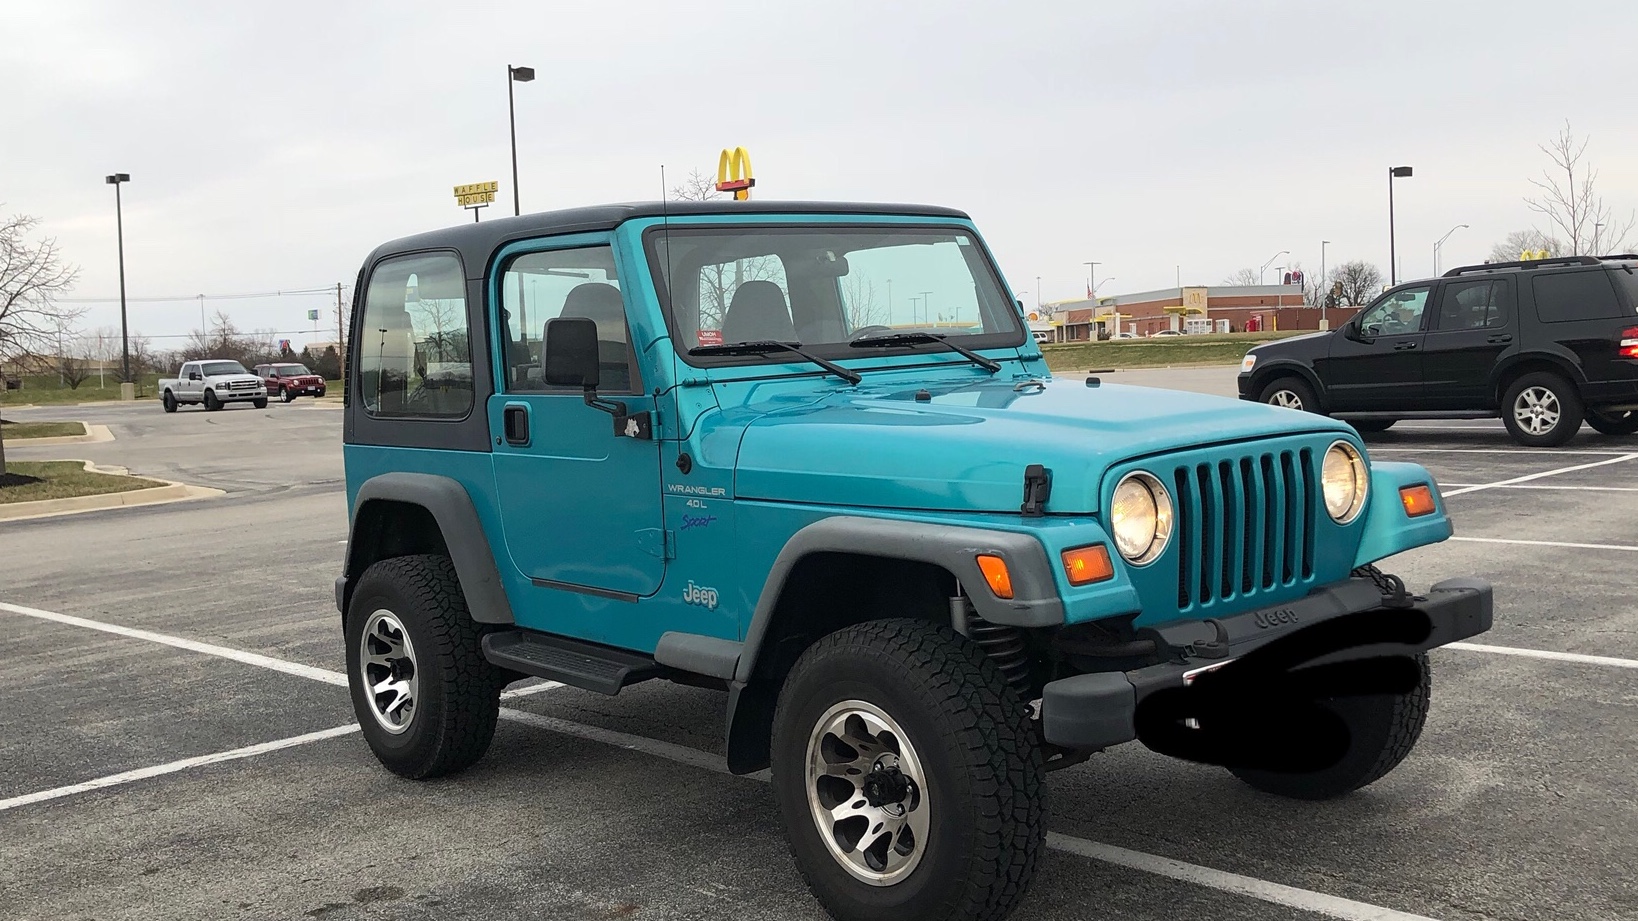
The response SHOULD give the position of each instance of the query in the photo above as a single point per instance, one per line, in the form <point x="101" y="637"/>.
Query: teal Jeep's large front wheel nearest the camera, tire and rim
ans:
<point x="908" y="776"/>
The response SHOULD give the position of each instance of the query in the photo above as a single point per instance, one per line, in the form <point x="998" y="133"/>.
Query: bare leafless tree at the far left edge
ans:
<point x="32" y="276"/>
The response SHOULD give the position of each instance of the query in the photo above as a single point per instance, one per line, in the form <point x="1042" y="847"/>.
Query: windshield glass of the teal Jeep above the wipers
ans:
<point x="823" y="288"/>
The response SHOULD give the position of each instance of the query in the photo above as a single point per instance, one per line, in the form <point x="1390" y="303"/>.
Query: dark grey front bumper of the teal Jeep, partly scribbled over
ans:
<point x="1100" y="710"/>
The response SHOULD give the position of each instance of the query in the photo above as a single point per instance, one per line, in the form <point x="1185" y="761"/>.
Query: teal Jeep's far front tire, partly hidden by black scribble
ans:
<point x="1382" y="730"/>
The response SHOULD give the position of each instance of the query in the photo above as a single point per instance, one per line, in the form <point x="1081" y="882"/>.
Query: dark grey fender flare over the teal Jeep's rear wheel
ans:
<point x="469" y="547"/>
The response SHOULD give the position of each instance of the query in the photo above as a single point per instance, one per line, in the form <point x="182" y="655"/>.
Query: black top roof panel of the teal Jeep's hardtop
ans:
<point x="479" y="240"/>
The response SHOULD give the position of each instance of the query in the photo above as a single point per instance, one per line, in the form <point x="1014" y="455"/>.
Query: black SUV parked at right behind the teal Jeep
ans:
<point x="1544" y="345"/>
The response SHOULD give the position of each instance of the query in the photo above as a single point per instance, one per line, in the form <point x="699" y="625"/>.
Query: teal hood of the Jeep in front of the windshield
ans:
<point x="966" y="448"/>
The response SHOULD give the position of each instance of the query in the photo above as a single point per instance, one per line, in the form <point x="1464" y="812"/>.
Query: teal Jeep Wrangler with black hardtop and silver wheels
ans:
<point x="812" y="456"/>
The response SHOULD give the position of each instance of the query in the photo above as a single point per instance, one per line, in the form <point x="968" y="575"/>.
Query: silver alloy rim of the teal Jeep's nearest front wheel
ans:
<point x="867" y="792"/>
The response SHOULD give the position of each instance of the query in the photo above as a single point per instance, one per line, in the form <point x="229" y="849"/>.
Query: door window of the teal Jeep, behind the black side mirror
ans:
<point x="540" y="288"/>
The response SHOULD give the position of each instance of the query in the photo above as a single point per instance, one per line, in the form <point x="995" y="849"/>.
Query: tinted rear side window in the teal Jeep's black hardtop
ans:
<point x="415" y="355"/>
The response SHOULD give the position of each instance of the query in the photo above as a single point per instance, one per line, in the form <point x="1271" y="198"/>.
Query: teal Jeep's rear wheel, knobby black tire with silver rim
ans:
<point x="422" y="689"/>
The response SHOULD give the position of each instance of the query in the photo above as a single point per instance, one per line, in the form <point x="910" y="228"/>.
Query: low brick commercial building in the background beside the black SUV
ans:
<point x="1205" y="309"/>
